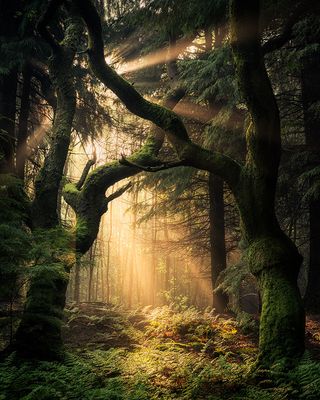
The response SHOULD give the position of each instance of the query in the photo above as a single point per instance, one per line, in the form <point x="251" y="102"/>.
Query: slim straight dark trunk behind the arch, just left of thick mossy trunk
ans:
<point x="217" y="240"/>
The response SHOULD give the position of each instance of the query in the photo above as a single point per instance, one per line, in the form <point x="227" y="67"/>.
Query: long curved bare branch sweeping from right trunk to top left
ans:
<point x="164" y="118"/>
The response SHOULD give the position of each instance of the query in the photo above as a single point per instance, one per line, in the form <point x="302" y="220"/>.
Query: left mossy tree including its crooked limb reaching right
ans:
<point x="39" y="333"/>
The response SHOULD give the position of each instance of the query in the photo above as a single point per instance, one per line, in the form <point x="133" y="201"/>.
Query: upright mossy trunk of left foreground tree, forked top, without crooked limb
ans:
<point x="39" y="333"/>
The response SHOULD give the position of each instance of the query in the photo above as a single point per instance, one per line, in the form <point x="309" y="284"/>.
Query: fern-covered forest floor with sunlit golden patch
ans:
<point x="161" y="353"/>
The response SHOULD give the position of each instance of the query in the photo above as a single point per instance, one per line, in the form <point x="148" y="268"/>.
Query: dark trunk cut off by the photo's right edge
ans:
<point x="310" y="85"/>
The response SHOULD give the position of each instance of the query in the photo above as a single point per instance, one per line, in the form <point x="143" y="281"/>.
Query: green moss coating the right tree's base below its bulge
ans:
<point x="282" y="322"/>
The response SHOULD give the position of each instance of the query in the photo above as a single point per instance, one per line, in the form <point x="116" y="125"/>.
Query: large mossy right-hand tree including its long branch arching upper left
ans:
<point x="271" y="255"/>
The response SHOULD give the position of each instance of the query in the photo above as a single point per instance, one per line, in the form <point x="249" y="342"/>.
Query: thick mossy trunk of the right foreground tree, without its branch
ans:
<point x="272" y="257"/>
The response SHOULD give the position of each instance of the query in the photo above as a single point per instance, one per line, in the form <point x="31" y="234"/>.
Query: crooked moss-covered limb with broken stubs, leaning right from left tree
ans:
<point x="88" y="198"/>
